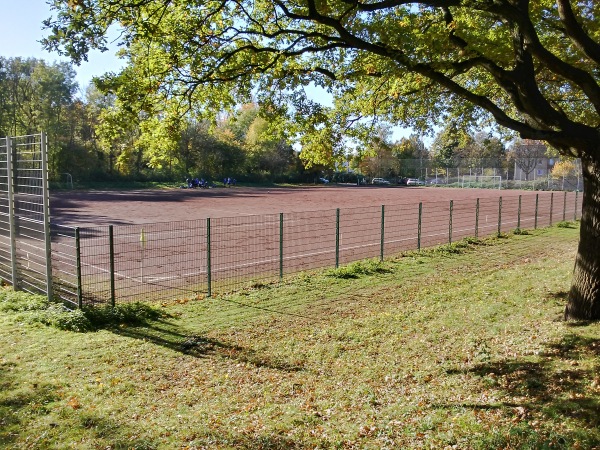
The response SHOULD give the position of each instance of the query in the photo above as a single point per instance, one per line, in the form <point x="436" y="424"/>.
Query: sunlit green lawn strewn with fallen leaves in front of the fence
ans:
<point x="462" y="346"/>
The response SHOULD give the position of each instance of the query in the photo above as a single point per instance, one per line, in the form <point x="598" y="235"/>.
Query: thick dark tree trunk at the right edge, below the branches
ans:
<point x="584" y="297"/>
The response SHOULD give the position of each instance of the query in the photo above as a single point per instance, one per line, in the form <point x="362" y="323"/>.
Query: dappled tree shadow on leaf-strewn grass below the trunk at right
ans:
<point x="554" y="386"/>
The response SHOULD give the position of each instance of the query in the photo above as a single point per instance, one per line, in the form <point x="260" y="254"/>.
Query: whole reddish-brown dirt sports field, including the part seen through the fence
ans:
<point x="164" y="244"/>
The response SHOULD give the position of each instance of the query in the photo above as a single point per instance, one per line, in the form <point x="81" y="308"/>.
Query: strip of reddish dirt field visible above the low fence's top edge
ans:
<point x="90" y="208"/>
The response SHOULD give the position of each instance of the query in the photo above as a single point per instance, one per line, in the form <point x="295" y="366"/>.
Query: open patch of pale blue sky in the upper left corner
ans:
<point x="21" y="31"/>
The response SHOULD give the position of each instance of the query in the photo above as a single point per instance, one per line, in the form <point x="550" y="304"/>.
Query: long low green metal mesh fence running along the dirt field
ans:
<point x="176" y="260"/>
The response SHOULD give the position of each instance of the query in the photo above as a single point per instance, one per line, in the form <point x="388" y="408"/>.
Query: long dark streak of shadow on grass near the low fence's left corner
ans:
<point x="168" y="335"/>
